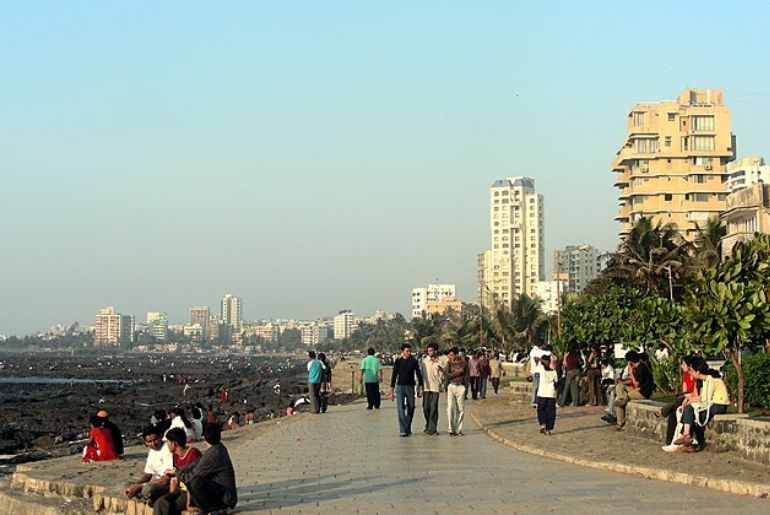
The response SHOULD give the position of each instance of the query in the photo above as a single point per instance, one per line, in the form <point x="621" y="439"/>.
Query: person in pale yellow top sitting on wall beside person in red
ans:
<point x="712" y="399"/>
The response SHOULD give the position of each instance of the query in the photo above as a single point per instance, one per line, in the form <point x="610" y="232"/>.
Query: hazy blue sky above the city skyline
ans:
<point x="315" y="156"/>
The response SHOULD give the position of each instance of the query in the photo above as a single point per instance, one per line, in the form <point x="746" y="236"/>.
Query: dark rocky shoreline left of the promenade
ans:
<point x="48" y="416"/>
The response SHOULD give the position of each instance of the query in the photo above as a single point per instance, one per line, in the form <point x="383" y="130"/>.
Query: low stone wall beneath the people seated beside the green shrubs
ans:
<point x="749" y="437"/>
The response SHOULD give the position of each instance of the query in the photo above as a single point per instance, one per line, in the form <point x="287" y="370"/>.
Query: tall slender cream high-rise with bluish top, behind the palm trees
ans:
<point x="516" y="260"/>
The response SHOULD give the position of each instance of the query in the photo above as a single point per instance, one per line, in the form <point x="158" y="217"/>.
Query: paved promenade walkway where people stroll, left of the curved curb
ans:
<point x="352" y="460"/>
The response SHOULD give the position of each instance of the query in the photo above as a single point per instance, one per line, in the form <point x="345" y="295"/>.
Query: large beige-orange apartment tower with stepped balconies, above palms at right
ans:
<point x="672" y="164"/>
